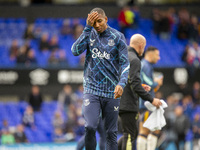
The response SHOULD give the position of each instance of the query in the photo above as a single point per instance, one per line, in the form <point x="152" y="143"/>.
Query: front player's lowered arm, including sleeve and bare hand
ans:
<point x="124" y="67"/>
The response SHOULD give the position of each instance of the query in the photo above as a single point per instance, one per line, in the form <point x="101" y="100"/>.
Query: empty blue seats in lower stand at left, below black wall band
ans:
<point x="43" y="131"/>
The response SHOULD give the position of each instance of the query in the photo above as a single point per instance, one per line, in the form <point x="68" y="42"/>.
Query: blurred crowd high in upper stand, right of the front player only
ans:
<point x="182" y="23"/>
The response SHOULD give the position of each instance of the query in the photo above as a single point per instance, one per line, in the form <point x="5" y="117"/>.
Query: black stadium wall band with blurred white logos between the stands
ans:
<point x="17" y="83"/>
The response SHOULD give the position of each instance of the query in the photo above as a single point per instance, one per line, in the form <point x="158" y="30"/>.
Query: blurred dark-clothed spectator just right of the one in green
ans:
<point x="20" y="136"/>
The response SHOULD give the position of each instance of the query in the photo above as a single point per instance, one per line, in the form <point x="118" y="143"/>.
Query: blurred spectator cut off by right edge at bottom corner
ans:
<point x="196" y="132"/>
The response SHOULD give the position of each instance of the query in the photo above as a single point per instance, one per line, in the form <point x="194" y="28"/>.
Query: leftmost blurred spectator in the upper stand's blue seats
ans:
<point x="14" y="50"/>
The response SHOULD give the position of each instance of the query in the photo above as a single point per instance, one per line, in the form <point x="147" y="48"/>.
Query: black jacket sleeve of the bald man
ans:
<point x="134" y="79"/>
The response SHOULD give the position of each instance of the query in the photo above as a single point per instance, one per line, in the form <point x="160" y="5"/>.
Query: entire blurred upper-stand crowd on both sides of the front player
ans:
<point x="37" y="42"/>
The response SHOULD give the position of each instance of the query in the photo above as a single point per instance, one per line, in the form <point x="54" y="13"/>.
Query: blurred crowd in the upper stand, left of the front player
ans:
<point x="38" y="42"/>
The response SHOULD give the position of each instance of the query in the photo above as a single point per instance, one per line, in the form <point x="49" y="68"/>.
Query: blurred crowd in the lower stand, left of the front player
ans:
<point x="67" y="121"/>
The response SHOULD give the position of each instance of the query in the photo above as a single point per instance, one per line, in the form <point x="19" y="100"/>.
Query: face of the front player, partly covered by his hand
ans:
<point x="100" y="23"/>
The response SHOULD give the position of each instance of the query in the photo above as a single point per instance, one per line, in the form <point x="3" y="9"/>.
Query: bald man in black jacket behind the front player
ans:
<point x="129" y="104"/>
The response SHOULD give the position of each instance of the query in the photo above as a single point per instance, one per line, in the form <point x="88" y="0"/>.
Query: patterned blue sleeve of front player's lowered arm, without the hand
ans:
<point x="123" y="61"/>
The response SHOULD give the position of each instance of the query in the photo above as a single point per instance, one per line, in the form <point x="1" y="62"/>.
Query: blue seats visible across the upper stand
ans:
<point x="170" y="50"/>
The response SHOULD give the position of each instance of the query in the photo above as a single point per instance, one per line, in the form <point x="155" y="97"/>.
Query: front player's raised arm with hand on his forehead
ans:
<point x="81" y="44"/>
